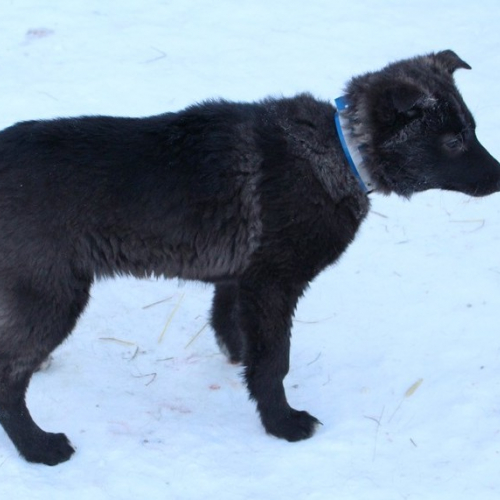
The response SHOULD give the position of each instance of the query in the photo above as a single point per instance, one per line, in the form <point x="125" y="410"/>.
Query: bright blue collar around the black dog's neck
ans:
<point x="352" y="147"/>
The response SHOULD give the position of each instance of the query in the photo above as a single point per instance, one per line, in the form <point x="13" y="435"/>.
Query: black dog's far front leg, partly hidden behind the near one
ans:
<point x="224" y="321"/>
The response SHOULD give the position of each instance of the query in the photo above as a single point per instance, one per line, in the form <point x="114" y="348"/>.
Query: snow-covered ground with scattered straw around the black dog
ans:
<point x="396" y="349"/>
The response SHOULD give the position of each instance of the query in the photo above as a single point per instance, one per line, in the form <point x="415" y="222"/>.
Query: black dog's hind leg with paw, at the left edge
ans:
<point x="32" y="324"/>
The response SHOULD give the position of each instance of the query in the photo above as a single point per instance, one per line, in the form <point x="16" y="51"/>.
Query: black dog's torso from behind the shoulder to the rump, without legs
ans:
<point x="130" y="195"/>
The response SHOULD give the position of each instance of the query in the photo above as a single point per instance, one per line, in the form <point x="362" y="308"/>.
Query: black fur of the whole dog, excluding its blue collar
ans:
<point x="254" y="198"/>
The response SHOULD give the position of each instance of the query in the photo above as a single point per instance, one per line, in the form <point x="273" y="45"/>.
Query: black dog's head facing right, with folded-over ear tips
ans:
<point x="416" y="130"/>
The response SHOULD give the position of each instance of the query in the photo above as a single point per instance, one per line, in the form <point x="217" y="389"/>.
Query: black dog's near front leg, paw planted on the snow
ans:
<point x="266" y="311"/>
